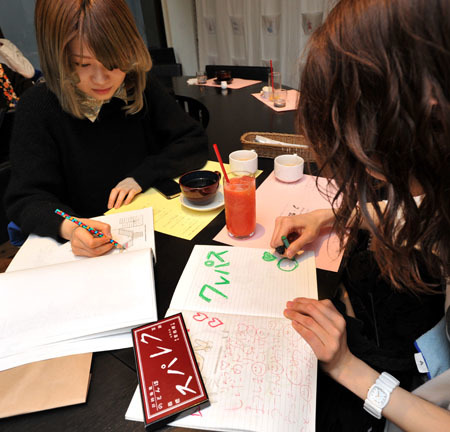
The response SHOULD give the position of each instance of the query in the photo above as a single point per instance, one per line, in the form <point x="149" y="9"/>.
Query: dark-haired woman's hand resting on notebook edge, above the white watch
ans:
<point x="323" y="328"/>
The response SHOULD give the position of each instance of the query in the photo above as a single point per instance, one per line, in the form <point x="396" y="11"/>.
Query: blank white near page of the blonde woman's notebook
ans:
<point x="47" y="305"/>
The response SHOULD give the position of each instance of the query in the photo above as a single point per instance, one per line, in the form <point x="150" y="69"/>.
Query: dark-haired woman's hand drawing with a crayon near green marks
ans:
<point x="307" y="226"/>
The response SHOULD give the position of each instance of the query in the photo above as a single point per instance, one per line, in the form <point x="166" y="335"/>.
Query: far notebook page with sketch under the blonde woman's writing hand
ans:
<point x="133" y="229"/>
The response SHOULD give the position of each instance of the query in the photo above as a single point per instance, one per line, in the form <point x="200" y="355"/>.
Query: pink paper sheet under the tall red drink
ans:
<point x="274" y="198"/>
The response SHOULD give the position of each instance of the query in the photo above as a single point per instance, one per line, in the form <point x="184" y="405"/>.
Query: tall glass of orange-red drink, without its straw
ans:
<point x="240" y="204"/>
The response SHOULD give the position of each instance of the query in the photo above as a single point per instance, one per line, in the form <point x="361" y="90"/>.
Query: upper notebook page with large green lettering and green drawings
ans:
<point x="244" y="281"/>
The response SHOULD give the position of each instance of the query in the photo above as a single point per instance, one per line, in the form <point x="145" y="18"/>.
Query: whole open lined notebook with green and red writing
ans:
<point x="260" y="375"/>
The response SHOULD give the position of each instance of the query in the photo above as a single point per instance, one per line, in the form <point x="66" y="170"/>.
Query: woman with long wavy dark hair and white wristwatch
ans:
<point x="375" y="108"/>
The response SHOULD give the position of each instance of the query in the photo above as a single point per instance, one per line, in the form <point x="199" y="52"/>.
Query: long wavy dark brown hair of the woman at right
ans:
<point x="375" y="102"/>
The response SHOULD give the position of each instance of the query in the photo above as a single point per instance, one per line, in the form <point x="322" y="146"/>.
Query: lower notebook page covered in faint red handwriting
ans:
<point x="259" y="373"/>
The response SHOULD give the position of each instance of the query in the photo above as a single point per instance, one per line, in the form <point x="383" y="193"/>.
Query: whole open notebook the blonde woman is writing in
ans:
<point x="55" y="304"/>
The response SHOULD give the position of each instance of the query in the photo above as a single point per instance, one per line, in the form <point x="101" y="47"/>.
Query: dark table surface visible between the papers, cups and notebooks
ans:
<point x="114" y="378"/>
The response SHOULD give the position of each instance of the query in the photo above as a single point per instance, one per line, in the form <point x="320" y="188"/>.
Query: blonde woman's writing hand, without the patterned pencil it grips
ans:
<point x="83" y="242"/>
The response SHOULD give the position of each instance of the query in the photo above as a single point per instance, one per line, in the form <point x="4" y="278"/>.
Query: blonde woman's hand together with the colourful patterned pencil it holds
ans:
<point x="93" y="239"/>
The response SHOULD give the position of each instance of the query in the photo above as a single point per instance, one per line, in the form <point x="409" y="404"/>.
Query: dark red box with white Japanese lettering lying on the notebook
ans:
<point x="169" y="378"/>
